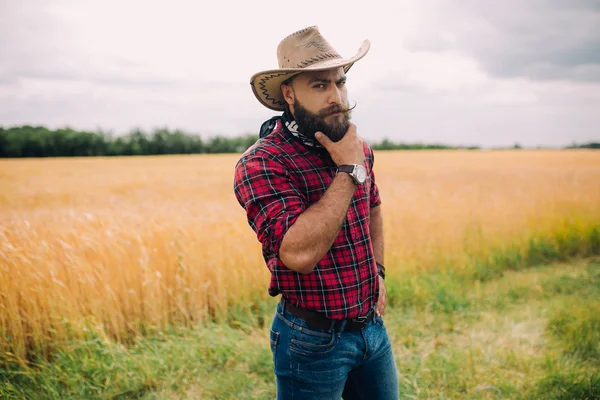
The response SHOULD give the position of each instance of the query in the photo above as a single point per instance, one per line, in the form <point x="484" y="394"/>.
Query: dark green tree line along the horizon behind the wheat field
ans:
<point x="38" y="141"/>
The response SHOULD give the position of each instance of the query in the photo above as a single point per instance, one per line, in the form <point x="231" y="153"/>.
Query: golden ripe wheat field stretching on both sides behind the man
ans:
<point x="121" y="246"/>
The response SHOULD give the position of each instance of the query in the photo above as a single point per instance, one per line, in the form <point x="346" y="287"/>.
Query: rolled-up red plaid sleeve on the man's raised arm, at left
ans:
<point x="272" y="202"/>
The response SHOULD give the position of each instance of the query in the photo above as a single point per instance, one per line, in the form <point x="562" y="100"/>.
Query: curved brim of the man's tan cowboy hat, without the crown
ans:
<point x="266" y="85"/>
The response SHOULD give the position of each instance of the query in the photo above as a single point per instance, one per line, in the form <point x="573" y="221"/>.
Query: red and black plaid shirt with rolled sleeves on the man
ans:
<point x="275" y="181"/>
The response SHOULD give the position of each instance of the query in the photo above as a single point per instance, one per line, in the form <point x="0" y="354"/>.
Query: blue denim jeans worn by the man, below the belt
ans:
<point x="324" y="364"/>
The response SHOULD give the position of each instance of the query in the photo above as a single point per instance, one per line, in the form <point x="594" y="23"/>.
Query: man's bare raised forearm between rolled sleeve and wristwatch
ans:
<point x="315" y="230"/>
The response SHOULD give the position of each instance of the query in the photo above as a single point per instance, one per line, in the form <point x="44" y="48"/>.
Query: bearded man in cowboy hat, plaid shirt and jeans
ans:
<point x="309" y="192"/>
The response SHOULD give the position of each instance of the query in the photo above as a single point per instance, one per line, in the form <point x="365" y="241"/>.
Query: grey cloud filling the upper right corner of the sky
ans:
<point x="538" y="39"/>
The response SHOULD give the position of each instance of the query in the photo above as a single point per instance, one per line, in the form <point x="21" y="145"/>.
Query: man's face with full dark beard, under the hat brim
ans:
<point x="319" y="102"/>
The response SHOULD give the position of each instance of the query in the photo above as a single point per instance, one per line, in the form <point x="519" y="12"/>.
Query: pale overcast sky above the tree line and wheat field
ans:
<point x="471" y="72"/>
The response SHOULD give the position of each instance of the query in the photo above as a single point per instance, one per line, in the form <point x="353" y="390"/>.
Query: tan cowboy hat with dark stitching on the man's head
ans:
<point x="305" y="50"/>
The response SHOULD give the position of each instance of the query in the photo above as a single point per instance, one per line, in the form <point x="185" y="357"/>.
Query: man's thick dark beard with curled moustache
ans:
<point x="310" y="123"/>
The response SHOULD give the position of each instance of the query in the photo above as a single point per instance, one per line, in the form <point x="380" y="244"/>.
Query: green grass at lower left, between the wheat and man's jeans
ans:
<point x="216" y="360"/>
